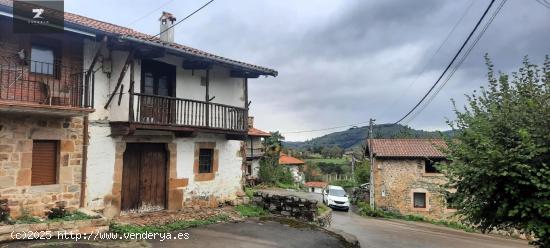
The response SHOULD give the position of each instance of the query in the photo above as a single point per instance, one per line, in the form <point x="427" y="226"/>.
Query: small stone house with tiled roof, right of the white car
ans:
<point x="406" y="179"/>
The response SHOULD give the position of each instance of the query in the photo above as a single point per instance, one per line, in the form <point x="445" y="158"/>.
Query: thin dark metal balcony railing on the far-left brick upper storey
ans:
<point x="47" y="84"/>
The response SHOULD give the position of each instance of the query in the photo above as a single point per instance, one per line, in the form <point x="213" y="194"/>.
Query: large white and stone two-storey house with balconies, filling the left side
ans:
<point x="104" y="117"/>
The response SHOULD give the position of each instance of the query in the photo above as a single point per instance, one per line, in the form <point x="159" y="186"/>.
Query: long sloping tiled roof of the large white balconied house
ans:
<point x="123" y="32"/>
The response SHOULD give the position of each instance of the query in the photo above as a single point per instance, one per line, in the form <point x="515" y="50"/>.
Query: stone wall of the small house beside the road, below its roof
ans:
<point x="397" y="179"/>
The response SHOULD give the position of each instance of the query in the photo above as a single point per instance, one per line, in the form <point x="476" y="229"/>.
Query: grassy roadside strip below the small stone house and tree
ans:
<point x="366" y="210"/>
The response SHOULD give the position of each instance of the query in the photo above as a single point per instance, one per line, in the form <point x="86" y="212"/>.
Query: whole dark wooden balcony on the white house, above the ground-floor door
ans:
<point x="183" y="116"/>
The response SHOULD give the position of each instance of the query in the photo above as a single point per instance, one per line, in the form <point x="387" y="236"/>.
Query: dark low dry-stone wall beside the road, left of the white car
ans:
<point x="287" y="205"/>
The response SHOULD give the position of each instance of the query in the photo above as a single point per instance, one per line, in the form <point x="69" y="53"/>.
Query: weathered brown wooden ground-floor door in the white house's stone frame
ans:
<point x="144" y="177"/>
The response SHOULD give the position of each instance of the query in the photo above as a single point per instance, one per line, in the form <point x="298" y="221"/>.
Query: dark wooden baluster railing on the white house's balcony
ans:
<point x="163" y="110"/>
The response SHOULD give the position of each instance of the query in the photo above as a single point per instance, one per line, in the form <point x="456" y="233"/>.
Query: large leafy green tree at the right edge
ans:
<point x="500" y="156"/>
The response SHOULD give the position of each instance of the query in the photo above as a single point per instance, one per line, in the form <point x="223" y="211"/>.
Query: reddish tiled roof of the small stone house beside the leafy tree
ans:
<point x="408" y="147"/>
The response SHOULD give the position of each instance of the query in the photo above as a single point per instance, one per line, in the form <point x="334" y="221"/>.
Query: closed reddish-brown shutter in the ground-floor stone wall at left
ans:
<point x="44" y="162"/>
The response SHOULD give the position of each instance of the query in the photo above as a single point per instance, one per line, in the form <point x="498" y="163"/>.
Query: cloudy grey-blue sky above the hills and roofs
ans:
<point x="345" y="61"/>
